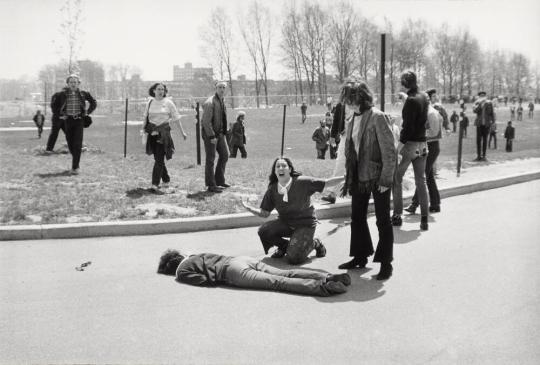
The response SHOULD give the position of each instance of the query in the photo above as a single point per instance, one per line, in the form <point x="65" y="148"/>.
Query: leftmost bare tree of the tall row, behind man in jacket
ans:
<point x="218" y="37"/>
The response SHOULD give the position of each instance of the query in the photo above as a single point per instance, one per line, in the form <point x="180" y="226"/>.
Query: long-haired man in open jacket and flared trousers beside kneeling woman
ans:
<point x="370" y="160"/>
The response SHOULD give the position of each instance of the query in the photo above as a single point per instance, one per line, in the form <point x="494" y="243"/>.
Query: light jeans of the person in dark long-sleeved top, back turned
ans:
<point x="415" y="153"/>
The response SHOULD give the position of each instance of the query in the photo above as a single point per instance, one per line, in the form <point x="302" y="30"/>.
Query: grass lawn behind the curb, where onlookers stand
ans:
<point x="36" y="188"/>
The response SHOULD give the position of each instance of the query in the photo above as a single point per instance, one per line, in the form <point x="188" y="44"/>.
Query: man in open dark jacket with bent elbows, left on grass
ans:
<point x="69" y="108"/>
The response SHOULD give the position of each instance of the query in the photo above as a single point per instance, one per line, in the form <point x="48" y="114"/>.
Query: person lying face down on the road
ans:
<point x="207" y="269"/>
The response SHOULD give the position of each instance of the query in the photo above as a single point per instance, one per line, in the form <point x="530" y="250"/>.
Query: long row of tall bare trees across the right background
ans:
<point x="320" y="45"/>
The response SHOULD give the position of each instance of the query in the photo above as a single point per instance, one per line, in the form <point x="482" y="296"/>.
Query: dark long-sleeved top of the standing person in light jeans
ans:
<point x="414" y="113"/>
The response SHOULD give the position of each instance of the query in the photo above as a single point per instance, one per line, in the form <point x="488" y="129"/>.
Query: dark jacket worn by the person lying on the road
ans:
<point x="205" y="269"/>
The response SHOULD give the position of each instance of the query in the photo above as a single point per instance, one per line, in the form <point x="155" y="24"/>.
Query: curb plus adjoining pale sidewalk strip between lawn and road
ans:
<point x="473" y="177"/>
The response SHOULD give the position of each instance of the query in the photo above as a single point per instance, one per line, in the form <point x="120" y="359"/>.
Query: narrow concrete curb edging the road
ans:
<point x="239" y="220"/>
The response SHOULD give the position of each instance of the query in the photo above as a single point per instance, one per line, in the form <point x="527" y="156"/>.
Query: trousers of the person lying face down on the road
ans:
<point x="247" y="272"/>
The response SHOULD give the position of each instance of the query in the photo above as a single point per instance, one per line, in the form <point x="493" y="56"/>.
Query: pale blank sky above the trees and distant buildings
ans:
<point x="156" y="34"/>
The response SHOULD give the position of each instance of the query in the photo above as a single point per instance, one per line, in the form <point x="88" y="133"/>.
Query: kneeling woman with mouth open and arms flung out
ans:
<point x="290" y="194"/>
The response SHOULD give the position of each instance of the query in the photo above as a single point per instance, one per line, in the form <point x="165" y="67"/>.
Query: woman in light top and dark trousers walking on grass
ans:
<point x="160" y="112"/>
